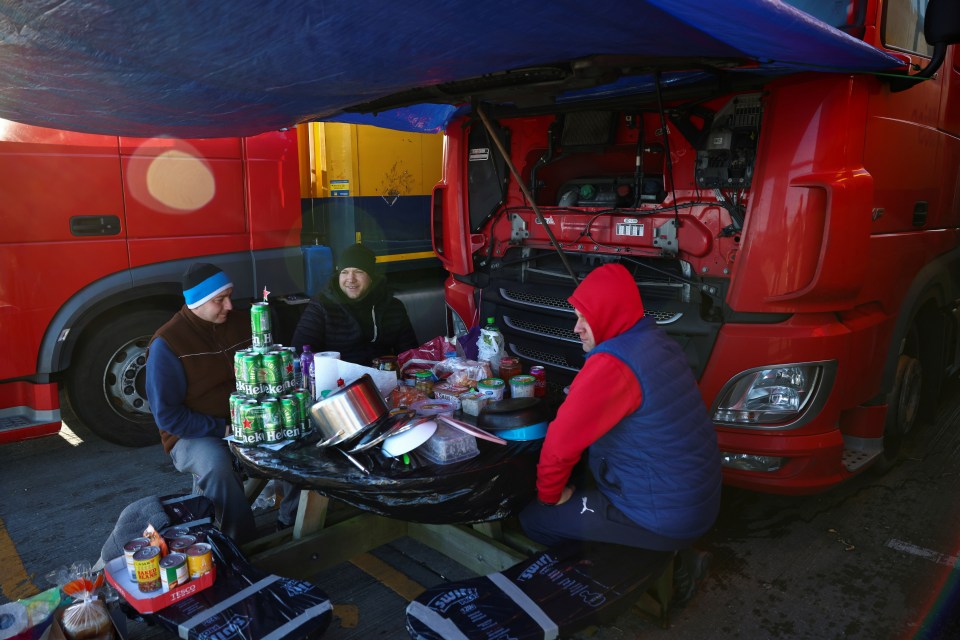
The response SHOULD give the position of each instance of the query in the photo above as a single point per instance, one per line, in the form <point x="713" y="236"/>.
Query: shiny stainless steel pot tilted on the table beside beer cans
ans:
<point x="349" y="411"/>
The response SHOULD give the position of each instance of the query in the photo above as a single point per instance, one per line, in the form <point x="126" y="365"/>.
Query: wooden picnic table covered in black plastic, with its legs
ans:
<point x="425" y="501"/>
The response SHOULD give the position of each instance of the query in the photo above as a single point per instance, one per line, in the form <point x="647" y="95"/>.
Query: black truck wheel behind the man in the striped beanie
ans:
<point x="105" y="383"/>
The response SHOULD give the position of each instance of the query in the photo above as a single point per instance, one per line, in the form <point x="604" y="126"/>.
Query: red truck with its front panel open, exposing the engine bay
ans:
<point x="797" y="234"/>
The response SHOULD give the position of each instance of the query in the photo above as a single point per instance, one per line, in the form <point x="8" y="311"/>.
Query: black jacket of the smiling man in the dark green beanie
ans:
<point x="333" y="322"/>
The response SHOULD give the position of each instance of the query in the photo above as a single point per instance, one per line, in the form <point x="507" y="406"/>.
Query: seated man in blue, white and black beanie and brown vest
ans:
<point x="189" y="380"/>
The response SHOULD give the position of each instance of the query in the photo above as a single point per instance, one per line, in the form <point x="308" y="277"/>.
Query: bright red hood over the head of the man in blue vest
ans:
<point x="609" y="300"/>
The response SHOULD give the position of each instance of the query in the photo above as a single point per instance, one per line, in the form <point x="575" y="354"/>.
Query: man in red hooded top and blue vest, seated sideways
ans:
<point x="635" y="414"/>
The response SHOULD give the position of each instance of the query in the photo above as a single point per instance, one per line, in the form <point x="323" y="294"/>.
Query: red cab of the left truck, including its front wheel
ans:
<point x="97" y="233"/>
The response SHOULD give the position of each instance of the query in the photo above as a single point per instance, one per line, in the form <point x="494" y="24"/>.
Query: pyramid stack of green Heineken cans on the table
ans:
<point x="269" y="405"/>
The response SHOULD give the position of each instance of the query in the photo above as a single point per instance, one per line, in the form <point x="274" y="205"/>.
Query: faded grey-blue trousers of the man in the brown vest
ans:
<point x="211" y="463"/>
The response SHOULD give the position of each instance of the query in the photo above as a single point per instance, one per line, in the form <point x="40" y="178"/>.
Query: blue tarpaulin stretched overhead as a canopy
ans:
<point x="208" y="69"/>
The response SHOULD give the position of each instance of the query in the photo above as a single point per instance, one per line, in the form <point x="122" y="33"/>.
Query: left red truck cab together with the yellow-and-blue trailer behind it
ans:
<point x="98" y="230"/>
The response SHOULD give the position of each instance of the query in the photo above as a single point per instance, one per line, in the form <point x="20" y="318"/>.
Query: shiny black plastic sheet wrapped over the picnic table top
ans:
<point x="491" y="486"/>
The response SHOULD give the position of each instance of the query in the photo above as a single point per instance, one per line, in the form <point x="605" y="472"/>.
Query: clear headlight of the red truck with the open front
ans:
<point x="776" y="396"/>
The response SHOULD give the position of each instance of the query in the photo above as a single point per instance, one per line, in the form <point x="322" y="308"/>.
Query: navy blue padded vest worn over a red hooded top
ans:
<point x="660" y="465"/>
